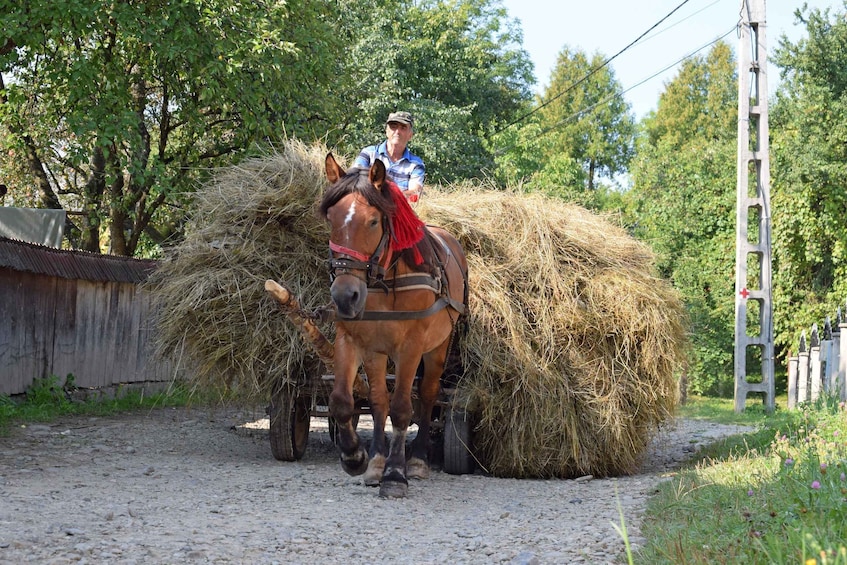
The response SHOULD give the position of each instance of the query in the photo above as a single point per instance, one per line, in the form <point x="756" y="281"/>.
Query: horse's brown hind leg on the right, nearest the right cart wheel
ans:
<point x="418" y="465"/>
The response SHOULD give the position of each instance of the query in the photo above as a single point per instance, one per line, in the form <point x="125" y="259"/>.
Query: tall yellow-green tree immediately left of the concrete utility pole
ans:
<point x="683" y="204"/>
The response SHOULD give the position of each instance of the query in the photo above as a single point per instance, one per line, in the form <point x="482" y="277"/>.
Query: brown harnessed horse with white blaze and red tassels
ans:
<point x="398" y="288"/>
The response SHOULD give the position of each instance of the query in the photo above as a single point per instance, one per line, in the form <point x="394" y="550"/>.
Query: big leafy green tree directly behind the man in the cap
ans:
<point x="456" y="65"/>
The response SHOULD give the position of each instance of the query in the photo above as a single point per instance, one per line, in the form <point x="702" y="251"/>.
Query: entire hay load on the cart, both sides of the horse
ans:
<point x="573" y="343"/>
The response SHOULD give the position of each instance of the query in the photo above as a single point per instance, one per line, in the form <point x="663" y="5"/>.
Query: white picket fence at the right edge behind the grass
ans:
<point x="820" y="366"/>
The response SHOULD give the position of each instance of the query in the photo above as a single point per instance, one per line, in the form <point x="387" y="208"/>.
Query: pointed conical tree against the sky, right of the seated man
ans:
<point x="587" y="128"/>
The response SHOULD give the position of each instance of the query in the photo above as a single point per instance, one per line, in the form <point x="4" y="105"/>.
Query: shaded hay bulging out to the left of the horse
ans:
<point x="252" y="222"/>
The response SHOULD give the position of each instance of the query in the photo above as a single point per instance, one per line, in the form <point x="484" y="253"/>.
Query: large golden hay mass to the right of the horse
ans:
<point x="573" y="343"/>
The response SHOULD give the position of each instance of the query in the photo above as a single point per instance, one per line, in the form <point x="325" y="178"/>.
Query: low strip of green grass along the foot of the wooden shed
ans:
<point x="47" y="400"/>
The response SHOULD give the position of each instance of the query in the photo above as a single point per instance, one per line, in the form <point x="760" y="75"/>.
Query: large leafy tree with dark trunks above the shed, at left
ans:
<point x="115" y="109"/>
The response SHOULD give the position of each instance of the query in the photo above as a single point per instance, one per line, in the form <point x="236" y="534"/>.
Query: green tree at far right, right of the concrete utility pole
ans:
<point x="809" y="164"/>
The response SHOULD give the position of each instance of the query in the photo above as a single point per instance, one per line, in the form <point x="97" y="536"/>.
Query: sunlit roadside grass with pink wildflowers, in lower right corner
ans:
<point x="774" y="496"/>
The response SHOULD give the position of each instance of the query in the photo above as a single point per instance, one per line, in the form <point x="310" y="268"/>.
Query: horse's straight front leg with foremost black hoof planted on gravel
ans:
<point x="394" y="483"/>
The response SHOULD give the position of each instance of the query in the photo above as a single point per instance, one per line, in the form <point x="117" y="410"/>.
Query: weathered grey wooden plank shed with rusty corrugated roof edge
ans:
<point x="72" y="312"/>
